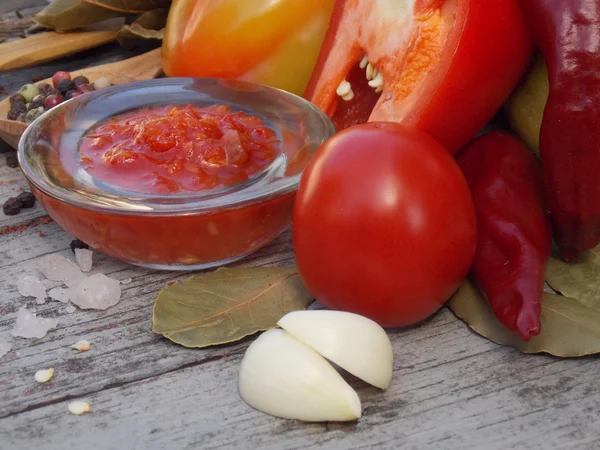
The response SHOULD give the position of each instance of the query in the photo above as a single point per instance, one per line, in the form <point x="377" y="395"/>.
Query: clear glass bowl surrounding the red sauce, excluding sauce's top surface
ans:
<point x="182" y="231"/>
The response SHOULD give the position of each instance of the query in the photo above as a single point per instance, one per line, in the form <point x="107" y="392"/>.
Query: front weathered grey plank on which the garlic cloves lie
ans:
<point x="459" y="391"/>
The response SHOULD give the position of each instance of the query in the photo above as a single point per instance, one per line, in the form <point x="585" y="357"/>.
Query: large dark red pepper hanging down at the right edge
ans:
<point x="568" y="35"/>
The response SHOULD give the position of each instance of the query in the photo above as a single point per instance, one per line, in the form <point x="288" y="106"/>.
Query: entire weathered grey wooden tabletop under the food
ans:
<point x="451" y="388"/>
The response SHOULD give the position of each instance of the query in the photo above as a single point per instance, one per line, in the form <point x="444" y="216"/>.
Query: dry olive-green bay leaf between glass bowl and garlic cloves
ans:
<point x="227" y="305"/>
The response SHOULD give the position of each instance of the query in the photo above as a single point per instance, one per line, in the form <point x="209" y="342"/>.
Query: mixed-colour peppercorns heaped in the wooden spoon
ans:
<point x="32" y="100"/>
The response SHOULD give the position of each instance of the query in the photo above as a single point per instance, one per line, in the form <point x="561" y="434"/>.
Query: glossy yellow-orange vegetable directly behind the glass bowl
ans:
<point x="272" y="42"/>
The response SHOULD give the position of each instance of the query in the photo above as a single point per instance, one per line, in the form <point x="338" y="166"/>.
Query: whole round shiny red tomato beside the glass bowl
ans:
<point x="384" y="224"/>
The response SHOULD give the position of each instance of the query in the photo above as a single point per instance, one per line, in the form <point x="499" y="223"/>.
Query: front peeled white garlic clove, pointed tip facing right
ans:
<point x="283" y="377"/>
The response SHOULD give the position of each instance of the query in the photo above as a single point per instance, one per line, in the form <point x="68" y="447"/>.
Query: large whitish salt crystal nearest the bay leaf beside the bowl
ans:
<point x="96" y="292"/>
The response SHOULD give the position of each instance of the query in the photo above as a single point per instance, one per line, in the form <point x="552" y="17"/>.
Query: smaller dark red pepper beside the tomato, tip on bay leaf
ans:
<point x="514" y="234"/>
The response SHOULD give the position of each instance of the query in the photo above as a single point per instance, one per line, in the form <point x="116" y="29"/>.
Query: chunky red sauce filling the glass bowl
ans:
<point x="168" y="151"/>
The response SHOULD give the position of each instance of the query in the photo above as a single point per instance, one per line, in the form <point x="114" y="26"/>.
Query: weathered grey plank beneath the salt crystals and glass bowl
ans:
<point x="125" y="350"/>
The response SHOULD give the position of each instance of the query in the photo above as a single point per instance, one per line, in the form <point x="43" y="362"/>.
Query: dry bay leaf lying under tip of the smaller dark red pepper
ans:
<point x="569" y="328"/>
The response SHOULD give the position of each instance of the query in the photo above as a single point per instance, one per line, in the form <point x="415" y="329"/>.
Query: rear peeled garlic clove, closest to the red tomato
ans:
<point x="353" y="342"/>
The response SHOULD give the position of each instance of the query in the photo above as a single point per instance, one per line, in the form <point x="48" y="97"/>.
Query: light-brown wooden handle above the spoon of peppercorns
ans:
<point x="48" y="46"/>
